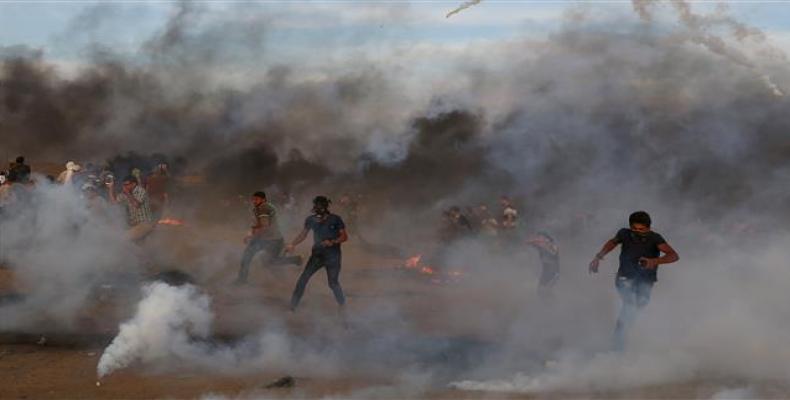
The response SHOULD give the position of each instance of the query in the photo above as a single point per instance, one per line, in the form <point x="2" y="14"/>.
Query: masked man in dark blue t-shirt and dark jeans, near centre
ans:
<point x="329" y="232"/>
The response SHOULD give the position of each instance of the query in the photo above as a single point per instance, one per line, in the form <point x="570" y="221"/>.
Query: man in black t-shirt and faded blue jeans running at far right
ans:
<point x="640" y="257"/>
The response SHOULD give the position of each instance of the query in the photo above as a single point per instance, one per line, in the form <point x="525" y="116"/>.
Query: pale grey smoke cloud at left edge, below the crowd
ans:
<point x="62" y="251"/>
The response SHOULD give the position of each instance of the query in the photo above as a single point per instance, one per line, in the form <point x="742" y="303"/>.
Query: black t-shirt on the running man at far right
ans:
<point x="634" y="247"/>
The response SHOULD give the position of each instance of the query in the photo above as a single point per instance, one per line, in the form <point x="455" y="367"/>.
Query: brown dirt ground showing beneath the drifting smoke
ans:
<point x="63" y="365"/>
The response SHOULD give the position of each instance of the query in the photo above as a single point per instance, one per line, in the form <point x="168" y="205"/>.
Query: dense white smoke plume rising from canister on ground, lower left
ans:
<point x="167" y="323"/>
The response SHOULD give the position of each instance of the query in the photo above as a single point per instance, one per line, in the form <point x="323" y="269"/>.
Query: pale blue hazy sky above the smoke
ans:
<point x="305" y="30"/>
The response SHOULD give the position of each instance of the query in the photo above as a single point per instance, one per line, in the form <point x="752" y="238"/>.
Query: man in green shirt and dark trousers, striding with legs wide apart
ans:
<point x="264" y="236"/>
